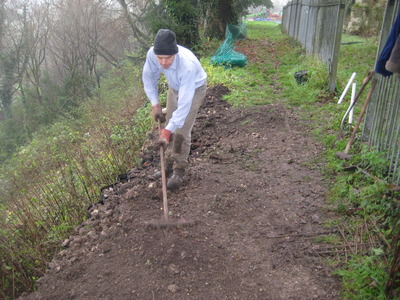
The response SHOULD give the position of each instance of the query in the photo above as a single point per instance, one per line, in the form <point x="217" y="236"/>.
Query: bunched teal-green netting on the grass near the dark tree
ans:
<point x="226" y="55"/>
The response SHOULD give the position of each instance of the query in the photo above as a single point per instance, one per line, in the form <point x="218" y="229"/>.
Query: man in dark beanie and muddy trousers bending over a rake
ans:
<point x="186" y="90"/>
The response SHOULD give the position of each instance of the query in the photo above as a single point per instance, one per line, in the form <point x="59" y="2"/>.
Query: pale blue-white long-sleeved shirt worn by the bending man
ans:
<point x="185" y="75"/>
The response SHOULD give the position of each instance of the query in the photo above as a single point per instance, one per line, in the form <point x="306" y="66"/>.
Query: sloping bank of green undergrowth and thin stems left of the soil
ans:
<point x="49" y="184"/>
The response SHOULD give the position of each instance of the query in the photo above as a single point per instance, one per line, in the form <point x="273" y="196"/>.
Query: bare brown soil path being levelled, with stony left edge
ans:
<point x="256" y="196"/>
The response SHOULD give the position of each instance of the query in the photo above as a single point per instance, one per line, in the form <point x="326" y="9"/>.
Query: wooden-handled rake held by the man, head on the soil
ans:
<point x="164" y="222"/>
